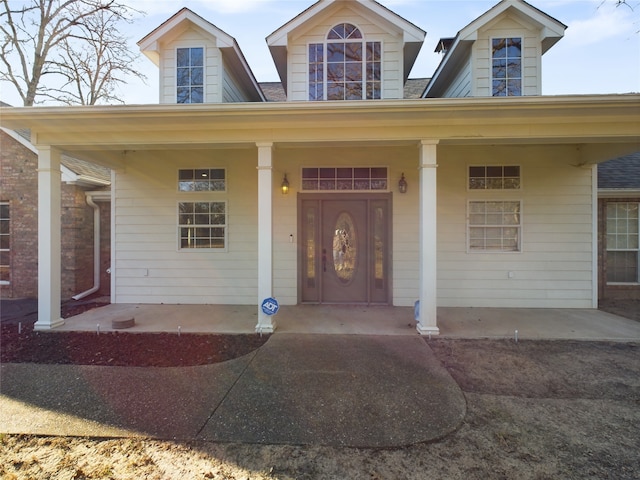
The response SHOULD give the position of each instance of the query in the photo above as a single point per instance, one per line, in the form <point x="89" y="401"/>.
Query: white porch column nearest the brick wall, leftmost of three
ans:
<point x="49" y="242"/>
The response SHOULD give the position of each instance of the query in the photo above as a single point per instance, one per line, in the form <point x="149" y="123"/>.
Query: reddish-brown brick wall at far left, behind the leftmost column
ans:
<point x="19" y="187"/>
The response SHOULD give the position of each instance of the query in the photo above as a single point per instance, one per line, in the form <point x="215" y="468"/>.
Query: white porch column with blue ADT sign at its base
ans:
<point x="265" y="234"/>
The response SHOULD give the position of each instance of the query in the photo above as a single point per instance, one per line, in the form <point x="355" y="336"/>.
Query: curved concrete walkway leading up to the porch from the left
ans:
<point x="338" y="390"/>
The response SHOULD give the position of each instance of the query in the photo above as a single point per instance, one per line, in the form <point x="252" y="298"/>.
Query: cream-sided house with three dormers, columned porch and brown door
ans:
<point x="482" y="192"/>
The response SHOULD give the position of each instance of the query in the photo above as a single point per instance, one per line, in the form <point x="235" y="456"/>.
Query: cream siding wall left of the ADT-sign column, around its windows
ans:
<point x="149" y="266"/>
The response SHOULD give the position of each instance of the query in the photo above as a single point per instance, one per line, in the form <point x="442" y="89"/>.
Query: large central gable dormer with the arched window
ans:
<point x="345" y="50"/>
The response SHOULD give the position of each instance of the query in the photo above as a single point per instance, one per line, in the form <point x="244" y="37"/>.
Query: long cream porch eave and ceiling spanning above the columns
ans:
<point x="602" y="126"/>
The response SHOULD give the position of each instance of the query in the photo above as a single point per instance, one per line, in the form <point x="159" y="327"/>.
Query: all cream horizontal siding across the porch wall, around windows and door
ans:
<point x="553" y="269"/>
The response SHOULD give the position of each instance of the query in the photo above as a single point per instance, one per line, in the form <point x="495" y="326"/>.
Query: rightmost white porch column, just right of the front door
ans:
<point x="428" y="247"/>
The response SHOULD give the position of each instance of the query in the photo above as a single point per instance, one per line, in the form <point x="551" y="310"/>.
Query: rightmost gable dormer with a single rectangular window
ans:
<point x="498" y="54"/>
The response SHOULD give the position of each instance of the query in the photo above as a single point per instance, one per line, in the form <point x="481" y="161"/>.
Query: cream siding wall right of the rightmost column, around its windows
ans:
<point x="555" y="264"/>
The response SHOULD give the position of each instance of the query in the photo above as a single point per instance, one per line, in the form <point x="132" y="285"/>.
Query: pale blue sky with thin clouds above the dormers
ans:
<point x="599" y="54"/>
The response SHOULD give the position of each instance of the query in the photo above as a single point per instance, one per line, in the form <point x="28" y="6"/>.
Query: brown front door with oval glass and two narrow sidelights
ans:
<point x="345" y="248"/>
